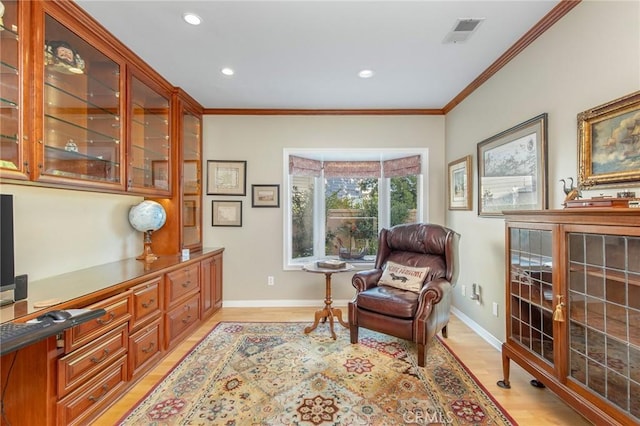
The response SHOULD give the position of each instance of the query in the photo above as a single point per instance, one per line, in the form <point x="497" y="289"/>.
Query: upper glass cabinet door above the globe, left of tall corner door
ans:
<point x="149" y="155"/>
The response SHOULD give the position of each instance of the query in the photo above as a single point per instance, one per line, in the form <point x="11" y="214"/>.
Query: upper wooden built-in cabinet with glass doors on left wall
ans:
<point x="79" y="110"/>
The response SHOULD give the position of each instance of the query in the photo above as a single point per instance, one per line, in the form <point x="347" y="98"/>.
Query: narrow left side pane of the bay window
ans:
<point x="302" y="208"/>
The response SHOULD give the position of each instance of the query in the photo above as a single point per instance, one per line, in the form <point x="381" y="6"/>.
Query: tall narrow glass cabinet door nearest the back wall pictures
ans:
<point x="191" y="166"/>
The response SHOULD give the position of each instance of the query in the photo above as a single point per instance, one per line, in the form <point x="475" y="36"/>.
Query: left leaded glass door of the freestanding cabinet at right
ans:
<point x="531" y="292"/>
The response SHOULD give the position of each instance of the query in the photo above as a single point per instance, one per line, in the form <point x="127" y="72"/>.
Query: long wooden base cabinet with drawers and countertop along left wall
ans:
<point x="87" y="368"/>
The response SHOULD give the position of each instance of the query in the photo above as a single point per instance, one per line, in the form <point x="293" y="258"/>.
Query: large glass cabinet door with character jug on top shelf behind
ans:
<point x="82" y="114"/>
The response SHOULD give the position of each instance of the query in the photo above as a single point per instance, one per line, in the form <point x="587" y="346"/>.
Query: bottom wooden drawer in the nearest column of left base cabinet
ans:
<point x="87" y="401"/>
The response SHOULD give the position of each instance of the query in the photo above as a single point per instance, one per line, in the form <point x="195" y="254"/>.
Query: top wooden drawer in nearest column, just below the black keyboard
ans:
<point x="118" y="311"/>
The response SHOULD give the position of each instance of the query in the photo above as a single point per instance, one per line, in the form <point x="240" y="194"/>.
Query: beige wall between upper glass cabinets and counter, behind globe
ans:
<point x="58" y="231"/>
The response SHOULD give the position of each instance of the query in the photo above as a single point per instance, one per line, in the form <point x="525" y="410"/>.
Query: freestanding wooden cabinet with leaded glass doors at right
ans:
<point x="573" y="307"/>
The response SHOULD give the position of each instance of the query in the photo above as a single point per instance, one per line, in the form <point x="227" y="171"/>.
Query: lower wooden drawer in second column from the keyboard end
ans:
<point x="145" y="347"/>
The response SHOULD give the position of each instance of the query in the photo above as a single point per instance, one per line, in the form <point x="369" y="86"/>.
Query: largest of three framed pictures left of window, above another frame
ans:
<point x="226" y="177"/>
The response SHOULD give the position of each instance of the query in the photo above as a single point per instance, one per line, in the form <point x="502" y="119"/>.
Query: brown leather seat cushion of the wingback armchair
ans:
<point x="390" y="301"/>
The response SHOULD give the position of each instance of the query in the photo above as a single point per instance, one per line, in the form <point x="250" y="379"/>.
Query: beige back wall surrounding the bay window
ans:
<point x="255" y="251"/>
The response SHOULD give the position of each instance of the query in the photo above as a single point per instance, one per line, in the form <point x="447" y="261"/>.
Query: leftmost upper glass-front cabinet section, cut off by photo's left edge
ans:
<point x="14" y="91"/>
